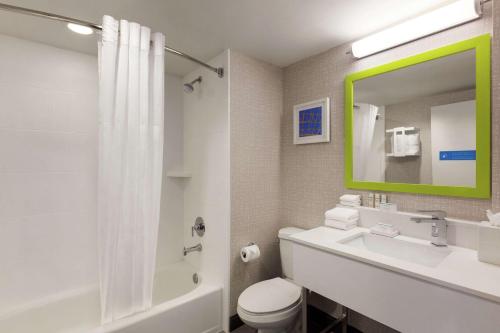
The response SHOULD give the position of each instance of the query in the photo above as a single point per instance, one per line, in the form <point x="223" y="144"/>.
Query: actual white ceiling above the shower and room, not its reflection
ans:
<point x="280" y="32"/>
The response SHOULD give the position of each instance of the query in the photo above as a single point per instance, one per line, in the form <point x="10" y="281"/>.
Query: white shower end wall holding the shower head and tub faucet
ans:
<point x="206" y="155"/>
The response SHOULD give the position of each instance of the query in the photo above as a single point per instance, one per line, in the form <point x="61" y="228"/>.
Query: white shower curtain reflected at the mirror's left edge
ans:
<point x="364" y="127"/>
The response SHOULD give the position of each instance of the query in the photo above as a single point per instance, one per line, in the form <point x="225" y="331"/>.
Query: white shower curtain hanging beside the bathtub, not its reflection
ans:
<point x="131" y="99"/>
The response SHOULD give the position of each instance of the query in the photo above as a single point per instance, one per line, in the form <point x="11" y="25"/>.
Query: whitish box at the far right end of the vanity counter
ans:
<point x="489" y="243"/>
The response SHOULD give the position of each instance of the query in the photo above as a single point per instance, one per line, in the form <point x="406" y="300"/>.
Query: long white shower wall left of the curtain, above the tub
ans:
<point x="48" y="163"/>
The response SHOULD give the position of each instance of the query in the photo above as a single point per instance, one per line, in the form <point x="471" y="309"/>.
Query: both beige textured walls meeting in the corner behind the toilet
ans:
<point x="275" y="185"/>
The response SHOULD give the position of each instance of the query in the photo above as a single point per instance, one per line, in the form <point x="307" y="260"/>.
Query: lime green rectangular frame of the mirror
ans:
<point x="481" y="45"/>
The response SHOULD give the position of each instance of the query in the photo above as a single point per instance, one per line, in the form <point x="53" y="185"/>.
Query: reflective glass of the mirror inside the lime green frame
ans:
<point x="417" y="125"/>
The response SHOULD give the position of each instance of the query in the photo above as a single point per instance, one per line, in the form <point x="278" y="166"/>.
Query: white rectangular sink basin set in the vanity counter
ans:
<point x="422" y="254"/>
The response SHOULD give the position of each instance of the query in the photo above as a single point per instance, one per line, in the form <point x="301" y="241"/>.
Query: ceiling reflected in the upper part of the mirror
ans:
<point x="447" y="74"/>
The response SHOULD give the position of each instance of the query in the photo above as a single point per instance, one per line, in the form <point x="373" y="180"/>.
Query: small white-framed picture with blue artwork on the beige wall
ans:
<point x="311" y="122"/>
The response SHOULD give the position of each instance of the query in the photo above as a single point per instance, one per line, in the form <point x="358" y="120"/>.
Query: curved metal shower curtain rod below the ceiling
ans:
<point x="21" y="10"/>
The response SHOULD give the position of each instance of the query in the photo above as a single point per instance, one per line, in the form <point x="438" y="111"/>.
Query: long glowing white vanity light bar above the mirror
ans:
<point x="451" y="15"/>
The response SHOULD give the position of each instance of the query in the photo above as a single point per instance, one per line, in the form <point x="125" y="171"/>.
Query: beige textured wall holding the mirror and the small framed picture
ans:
<point x="312" y="175"/>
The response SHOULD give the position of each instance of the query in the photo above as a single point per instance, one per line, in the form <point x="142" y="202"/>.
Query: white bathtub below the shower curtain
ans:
<point x="180" y="306"/>
